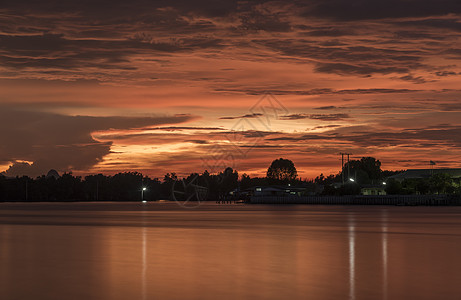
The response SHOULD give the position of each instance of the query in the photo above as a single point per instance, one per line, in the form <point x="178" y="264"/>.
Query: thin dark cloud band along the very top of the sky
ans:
<point x="345" y="10"/>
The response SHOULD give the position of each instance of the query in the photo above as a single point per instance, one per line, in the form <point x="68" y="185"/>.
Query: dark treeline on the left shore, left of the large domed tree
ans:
<point x="126" y="186"/>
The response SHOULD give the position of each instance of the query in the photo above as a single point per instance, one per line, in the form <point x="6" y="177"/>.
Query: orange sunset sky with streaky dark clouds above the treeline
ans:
<point x="182" y="86"/>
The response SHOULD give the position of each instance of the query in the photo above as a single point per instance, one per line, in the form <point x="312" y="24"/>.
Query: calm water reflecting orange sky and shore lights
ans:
<point x="162" y="251"/>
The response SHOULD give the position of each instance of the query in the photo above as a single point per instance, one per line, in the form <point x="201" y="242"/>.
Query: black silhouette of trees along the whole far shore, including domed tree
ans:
<point x="127" y="186"/>
